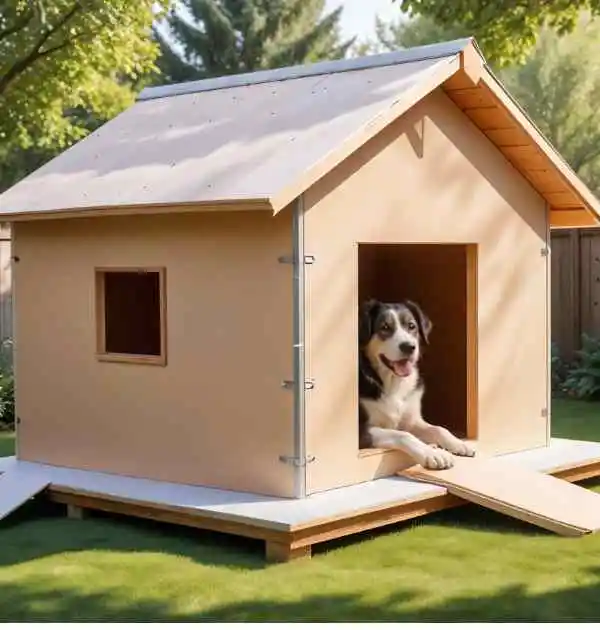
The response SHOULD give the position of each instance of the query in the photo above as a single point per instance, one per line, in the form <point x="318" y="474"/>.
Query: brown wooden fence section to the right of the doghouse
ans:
<point x="575" y="288"/>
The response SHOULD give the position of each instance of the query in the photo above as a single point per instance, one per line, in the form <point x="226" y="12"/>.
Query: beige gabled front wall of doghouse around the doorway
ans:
<point x="431" y="177"/>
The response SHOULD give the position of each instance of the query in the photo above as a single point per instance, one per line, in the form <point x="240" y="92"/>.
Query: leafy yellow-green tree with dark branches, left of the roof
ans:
<point x="61" y="58"/>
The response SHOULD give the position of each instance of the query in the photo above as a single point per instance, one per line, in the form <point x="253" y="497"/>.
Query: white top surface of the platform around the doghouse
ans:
<point x="289" y="514"/>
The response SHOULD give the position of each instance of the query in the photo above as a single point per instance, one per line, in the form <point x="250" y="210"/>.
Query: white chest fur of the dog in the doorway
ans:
<point x="399" y="406"/>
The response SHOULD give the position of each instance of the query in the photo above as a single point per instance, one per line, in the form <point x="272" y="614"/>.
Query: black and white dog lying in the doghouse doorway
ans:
<point x="391" y="389"/>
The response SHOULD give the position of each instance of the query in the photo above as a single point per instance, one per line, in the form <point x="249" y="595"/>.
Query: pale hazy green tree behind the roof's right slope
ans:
<point x="558" y="85"/>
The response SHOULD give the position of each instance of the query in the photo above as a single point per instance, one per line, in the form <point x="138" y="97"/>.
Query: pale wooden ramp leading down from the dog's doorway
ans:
<point x="528" y="495"/>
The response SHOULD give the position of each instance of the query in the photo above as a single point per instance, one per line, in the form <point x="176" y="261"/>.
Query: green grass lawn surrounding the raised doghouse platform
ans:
<point x="464" y="564"/>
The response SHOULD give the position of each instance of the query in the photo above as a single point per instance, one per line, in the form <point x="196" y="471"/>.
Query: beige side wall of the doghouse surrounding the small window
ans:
<point x="216" y="414"/>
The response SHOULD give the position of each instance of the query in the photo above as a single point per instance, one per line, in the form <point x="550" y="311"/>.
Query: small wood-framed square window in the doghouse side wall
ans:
<point x="131" y="315"/>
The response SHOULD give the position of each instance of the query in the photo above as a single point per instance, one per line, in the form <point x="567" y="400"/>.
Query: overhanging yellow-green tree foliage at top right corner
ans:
<point x="507" y="30"/>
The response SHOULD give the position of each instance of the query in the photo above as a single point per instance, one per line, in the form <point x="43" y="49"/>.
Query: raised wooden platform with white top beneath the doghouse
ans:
<point x="289" y="527"/>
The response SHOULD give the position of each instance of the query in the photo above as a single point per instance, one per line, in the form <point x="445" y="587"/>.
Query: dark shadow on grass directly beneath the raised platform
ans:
<point x="40" y="528"/>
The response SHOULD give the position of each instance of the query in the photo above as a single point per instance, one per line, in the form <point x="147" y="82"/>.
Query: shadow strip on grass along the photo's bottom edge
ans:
<point x="39" y="601"/>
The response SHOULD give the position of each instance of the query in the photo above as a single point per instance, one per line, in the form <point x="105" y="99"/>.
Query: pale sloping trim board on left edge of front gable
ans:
<point x="440" y="73"/>
